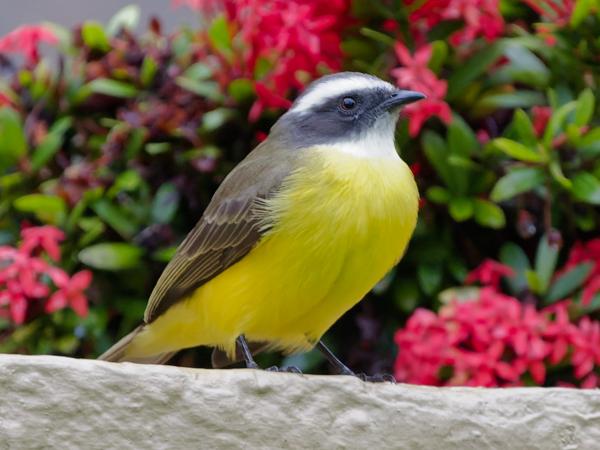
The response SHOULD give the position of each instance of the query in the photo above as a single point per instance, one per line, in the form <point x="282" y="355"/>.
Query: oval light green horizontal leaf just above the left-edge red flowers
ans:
<point x="111" y="256"/>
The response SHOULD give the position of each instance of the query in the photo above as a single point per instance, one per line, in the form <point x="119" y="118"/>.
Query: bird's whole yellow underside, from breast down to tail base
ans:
<point x="339" y="224"/>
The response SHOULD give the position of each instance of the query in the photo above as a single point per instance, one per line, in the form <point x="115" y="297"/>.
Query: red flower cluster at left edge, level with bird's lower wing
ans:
<point x="26" y="276"/>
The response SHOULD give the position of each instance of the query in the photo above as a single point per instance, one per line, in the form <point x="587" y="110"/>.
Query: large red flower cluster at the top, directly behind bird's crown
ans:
<point x="295" y="40"/>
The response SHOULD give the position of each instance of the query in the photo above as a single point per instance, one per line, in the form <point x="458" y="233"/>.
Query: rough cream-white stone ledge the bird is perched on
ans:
<point x="51" y="402"/>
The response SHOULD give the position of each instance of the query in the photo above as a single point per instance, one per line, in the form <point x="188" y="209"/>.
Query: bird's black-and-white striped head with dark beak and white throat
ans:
<point x="347" y="109"/>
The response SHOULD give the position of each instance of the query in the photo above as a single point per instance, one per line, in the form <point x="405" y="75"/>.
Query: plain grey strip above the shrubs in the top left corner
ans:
<point x="69" y="12"/>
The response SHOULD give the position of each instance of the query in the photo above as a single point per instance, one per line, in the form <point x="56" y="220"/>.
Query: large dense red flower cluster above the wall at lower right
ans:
<point x="495" y="340"/>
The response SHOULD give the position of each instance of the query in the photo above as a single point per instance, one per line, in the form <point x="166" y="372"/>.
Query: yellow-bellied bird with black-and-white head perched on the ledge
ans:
<point x="296" y="234"/>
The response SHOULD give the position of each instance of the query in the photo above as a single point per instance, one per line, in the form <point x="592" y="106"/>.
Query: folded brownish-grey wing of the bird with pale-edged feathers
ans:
<point x="227" y="231"/>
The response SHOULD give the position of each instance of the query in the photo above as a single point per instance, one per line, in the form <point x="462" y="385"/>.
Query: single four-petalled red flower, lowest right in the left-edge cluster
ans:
<point x="70" y="291"/>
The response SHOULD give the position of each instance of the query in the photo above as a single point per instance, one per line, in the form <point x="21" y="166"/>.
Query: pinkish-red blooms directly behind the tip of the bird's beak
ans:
<point x="415" y="74"/>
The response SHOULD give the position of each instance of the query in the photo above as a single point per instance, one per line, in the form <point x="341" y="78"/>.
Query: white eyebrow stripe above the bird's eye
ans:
<point x="334" y="87"/>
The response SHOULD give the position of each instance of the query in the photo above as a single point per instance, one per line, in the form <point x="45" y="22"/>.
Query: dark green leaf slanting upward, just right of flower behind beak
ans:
<point x="475" y="66"/>
